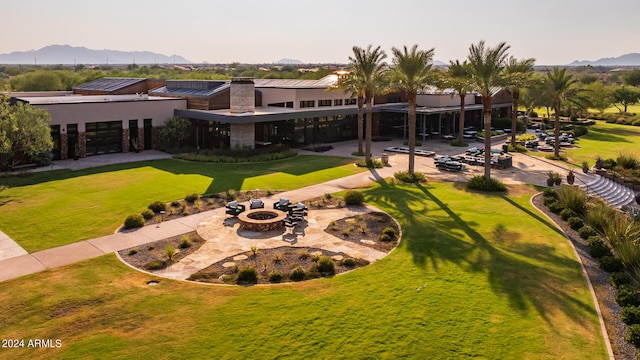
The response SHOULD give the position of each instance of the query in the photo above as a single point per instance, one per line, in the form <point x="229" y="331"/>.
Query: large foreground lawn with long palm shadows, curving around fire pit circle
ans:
<point x="475" y="275"/>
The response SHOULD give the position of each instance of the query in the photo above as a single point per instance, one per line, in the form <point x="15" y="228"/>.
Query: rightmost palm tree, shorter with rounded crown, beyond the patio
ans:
<point x="558" y="86"/>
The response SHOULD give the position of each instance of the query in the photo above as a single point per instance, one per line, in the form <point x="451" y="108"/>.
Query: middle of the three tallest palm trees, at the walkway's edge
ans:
<point x="411" y="73"/>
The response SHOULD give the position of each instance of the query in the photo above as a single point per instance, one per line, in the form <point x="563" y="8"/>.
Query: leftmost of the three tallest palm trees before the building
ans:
<point x="370" y="71"/>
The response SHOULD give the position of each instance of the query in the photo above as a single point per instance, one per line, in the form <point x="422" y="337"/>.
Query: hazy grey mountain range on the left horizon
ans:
<point x="66" y="54"/>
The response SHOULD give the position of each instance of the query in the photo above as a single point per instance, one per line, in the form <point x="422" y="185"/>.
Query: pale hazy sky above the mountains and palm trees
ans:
<point x="554" y="32"/>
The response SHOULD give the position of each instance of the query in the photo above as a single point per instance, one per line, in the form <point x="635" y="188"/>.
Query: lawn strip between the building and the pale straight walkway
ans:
<point x="50" y="209"/>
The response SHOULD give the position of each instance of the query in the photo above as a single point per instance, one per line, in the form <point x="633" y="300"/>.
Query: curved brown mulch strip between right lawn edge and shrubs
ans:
<point x="605" y="293"/>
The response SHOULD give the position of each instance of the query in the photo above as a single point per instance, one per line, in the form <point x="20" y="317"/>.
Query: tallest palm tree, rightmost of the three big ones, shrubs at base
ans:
<point x="486" y="66"/>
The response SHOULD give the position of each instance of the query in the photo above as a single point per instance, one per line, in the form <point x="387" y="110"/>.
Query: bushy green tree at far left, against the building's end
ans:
<point x="24" y="133"/>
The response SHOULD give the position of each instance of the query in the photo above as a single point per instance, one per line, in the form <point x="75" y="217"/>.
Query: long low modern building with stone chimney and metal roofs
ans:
<point x="114" y="114"/>
